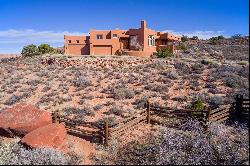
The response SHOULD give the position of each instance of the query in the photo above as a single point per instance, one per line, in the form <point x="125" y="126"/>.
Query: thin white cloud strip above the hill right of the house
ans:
<point x="201" y="34"/>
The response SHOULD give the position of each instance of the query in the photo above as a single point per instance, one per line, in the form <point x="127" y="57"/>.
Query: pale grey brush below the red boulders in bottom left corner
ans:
<point x="15" y="154"/>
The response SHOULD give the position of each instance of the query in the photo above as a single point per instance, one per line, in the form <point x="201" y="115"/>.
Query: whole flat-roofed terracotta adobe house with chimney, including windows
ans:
<point x="141" y="42"/>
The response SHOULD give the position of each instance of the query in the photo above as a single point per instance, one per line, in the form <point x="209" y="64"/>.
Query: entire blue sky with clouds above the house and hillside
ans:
<point x="45" y="21"/>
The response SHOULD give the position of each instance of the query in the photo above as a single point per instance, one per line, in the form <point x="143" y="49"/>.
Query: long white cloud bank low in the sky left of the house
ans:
<point x="33" y="36"/>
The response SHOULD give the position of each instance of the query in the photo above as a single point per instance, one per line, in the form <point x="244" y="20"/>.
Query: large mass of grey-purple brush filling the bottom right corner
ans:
<point x="221" y="145"/>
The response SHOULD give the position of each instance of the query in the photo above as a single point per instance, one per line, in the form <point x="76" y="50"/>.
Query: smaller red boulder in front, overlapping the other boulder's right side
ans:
<point x="52" y="135"/>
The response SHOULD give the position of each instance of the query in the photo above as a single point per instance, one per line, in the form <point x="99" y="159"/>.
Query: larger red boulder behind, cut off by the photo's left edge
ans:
<point x="23" y="118"/>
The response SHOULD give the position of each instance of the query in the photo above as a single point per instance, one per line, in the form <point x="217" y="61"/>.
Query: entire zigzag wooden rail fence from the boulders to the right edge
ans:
<point x="104" y="132"/>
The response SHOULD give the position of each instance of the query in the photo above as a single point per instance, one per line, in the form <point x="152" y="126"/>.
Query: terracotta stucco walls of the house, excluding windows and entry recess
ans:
<point x="109" y="45"/>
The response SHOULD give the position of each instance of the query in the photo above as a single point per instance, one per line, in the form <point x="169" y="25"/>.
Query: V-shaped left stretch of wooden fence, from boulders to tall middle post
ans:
<point x="91" y="131"/>
